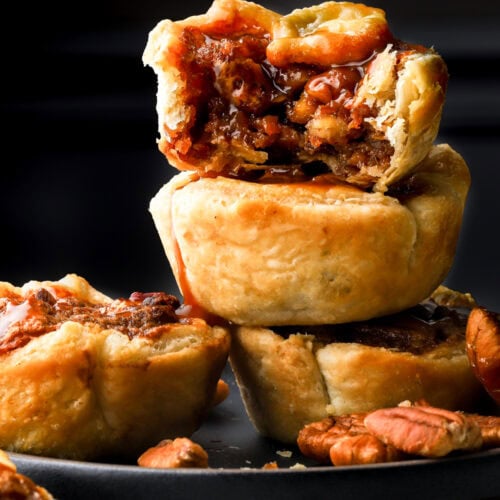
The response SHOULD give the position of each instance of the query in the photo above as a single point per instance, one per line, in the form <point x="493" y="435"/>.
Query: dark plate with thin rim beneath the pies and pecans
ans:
<point x="237" y="454"/>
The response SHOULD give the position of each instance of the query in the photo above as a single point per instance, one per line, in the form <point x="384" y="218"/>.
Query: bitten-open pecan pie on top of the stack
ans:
<point x="246" y="92"/>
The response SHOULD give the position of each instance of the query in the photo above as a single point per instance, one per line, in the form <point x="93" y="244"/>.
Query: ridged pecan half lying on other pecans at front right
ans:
<point x="424" y="430"/>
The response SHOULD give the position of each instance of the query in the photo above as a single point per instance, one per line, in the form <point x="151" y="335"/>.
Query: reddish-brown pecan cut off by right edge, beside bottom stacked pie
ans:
<point x="482" y="338"/>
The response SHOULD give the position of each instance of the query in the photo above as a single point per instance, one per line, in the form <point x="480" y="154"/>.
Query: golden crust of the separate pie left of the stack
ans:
<point x="86" y="391"/>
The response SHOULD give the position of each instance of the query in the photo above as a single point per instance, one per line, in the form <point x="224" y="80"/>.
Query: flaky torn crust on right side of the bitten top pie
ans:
<point x="409" y="95"/>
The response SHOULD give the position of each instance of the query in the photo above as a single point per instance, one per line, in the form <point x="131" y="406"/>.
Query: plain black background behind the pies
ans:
<point x="80" y="162"/>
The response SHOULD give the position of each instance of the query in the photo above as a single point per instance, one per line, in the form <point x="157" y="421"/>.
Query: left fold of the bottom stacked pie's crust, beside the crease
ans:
<point x="280" y="382"/>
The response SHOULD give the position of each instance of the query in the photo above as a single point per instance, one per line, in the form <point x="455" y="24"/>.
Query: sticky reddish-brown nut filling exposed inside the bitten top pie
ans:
<point x="257" y="122"/>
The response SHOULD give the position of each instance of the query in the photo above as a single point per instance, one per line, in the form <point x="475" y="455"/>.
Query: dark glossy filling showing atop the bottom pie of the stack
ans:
<point x="418" y="330"/>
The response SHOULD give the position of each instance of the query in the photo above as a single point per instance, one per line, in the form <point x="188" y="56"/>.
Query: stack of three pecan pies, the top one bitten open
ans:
<point x="313" y="212"/>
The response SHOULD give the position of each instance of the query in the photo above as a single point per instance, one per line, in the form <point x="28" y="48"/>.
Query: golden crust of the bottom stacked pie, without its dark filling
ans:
<point x="288" y="383"/>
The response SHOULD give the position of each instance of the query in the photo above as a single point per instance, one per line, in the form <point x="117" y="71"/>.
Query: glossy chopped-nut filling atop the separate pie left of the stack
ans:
<point x="23" y="318"/>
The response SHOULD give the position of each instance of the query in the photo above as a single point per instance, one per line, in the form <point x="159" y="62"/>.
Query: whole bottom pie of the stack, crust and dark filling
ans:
<point x="291" y="376"/>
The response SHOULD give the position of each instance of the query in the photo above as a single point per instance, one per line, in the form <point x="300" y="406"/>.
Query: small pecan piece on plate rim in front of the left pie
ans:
<point x="174" y="454"/>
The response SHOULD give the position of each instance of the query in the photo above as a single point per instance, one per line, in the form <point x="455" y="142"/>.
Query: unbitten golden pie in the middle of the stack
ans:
<point x="278" y="254"/>
